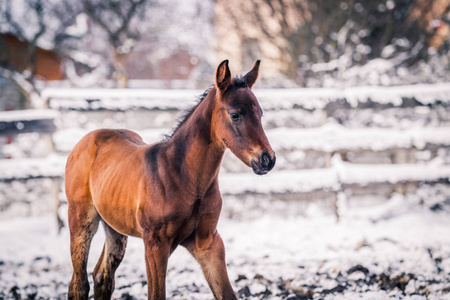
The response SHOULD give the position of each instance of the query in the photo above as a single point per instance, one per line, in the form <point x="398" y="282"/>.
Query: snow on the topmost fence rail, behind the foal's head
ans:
<point x="306" y="98"/>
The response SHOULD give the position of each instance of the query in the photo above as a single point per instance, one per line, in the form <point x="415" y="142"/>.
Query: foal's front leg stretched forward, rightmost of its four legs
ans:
<point x="210" y="254"/>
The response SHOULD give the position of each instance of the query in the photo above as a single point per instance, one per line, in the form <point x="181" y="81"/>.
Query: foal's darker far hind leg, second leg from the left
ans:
<point x="112" y="255"/>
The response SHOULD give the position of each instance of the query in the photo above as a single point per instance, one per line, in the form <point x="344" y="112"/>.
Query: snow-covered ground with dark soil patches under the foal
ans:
<point x="283" y="250"/>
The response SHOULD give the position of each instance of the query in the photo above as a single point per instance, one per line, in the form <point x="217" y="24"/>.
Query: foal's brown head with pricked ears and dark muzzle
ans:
<point x="236" y="121"/>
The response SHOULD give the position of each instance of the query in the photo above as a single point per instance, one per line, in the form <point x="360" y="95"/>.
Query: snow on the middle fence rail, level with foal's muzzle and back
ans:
<point x="328" y="138"/>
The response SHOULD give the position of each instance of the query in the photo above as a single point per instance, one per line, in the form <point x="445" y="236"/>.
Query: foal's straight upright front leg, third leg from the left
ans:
<point x="157" y="252"/>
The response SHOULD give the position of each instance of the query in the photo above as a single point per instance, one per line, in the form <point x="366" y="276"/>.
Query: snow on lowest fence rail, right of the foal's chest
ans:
<point x="340" y="176"/>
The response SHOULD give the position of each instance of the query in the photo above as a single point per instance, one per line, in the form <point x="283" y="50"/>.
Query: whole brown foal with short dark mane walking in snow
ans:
<point x="166" y="193"/>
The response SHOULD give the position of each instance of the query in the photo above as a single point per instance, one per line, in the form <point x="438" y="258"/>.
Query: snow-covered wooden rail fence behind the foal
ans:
<point x="327" y="141"/>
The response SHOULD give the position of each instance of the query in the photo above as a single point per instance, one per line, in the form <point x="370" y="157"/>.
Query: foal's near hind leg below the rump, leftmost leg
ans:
<point x="83" y="223"/>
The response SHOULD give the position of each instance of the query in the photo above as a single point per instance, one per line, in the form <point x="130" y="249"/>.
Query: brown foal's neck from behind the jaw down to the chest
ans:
<point x="200" y="161"/>
